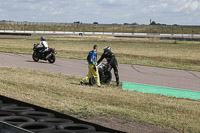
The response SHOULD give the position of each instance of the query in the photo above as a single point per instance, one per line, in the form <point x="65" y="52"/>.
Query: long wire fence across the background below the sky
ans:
<point x="113" y="28"/>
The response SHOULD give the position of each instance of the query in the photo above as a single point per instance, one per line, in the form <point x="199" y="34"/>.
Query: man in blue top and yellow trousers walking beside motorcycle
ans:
<point x="92" y="66"/>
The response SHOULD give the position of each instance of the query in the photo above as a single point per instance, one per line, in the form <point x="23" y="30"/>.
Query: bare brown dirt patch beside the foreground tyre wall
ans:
<point x="130" y="127"/>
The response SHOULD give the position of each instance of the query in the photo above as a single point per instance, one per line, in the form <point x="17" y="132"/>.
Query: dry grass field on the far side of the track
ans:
<point x="150" y="52"/>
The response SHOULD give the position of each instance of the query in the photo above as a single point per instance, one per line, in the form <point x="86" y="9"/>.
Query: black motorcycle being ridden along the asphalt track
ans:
<point x="38" y="54"/>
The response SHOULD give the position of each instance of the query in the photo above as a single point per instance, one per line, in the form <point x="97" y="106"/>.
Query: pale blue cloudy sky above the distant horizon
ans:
<point x="183" y="12"/>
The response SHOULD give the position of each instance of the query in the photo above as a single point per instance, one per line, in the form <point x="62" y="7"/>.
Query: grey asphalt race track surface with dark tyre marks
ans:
<point x="172" y="78"/>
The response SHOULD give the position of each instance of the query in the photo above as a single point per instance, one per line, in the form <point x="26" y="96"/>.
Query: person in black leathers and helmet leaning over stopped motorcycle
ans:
<point x="112" y="62"/>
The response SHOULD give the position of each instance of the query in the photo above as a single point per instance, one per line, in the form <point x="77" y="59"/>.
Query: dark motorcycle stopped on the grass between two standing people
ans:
<point x="104" y="75"/>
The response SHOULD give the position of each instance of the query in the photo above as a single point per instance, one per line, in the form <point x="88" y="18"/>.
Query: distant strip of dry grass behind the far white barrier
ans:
<point x="99" y="28"/>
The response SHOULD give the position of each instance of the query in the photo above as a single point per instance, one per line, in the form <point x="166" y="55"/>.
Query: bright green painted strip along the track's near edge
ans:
<point x="161" y="90"/>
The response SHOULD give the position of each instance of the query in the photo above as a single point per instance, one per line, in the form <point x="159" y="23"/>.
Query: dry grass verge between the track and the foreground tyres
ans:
<point x="62" y="93"/>
